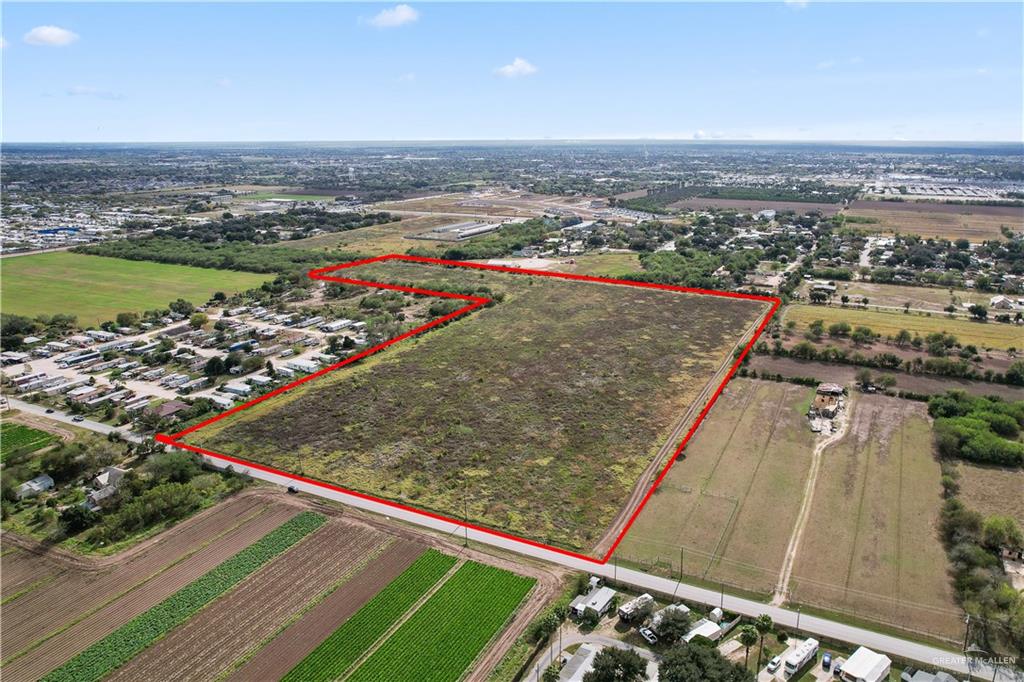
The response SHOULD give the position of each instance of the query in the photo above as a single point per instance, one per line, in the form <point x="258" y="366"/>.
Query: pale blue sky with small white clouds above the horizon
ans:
<point x="343" y="72"/>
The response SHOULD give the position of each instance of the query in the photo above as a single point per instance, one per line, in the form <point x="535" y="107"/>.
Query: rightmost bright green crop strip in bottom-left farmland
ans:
<point x="445" y="636"/>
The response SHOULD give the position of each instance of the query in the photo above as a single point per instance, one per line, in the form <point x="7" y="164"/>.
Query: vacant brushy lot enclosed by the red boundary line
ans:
<point x="536" y="416"/>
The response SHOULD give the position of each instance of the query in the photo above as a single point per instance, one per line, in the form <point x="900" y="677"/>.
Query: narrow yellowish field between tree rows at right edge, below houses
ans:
<point x="984" y="335"/>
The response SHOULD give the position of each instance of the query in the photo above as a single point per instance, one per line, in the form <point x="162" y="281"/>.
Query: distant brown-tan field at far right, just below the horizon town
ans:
<point x="975" y="224"/>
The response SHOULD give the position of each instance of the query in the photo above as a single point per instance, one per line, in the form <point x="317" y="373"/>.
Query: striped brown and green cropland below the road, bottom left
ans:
<point x="281" y="587"/>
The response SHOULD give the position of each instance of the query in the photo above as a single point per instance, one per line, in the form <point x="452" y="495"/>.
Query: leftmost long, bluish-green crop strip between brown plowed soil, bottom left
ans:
<point x="129" y="641"/>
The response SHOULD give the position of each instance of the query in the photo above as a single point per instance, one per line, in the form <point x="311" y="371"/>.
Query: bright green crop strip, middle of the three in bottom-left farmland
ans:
<point x="347" y="645"/>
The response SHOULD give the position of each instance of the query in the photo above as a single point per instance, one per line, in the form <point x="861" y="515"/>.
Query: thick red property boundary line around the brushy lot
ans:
<point x="324" y="274"/>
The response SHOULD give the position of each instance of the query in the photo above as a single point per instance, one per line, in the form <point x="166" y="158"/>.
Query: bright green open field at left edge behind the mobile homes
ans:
<point x="97" y="289"/>
